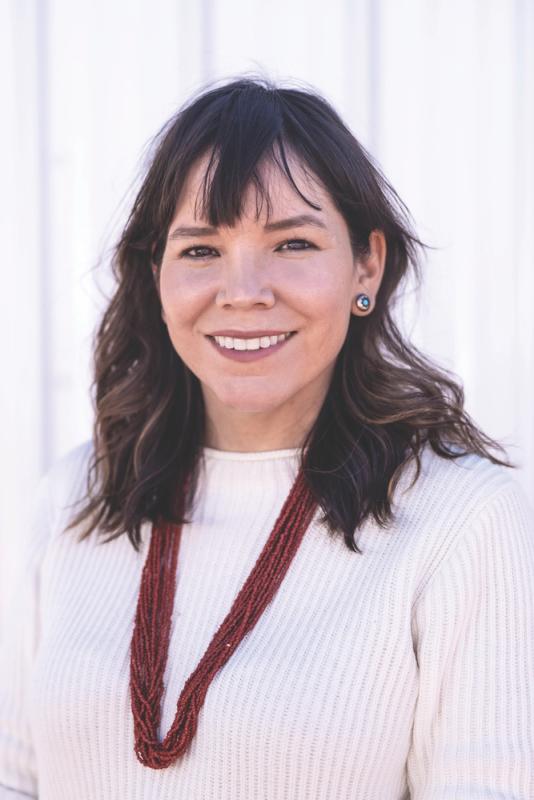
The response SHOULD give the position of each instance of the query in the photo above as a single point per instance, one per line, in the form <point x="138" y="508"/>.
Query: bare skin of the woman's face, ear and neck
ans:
<point x="246" y="278"/>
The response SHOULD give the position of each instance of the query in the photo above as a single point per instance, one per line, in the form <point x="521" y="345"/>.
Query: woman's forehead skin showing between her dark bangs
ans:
<point x="269" y="193"/>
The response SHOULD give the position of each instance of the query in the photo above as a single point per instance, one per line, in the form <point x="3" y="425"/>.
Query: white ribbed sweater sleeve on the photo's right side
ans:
<point x="473" y="629"/>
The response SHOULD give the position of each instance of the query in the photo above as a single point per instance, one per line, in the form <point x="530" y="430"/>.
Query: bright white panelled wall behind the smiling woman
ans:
<point x="440" y="91"/>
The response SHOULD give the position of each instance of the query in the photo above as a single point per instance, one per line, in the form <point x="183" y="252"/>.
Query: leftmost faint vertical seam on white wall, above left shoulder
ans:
<point x="44" y="275"/>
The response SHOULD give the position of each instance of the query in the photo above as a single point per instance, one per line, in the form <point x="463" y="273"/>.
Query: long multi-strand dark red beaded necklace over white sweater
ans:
<point x="150" y="640"/>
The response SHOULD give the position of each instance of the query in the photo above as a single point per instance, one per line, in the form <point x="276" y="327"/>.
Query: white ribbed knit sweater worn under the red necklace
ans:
<point x="404" y="672"/>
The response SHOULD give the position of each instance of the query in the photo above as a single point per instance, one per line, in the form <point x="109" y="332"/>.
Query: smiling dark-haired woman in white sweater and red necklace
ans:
<point x="287" y="565"/>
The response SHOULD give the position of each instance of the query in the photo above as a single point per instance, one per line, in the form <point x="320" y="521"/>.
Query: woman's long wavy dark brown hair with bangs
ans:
<point x="386" y="400"/>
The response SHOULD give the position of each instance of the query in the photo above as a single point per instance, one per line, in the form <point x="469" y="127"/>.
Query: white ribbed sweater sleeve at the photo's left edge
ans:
<point x="18" y="642"/>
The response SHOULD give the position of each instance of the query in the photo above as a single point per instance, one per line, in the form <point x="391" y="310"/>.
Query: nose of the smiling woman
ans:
<point x="244" y="284"/>
